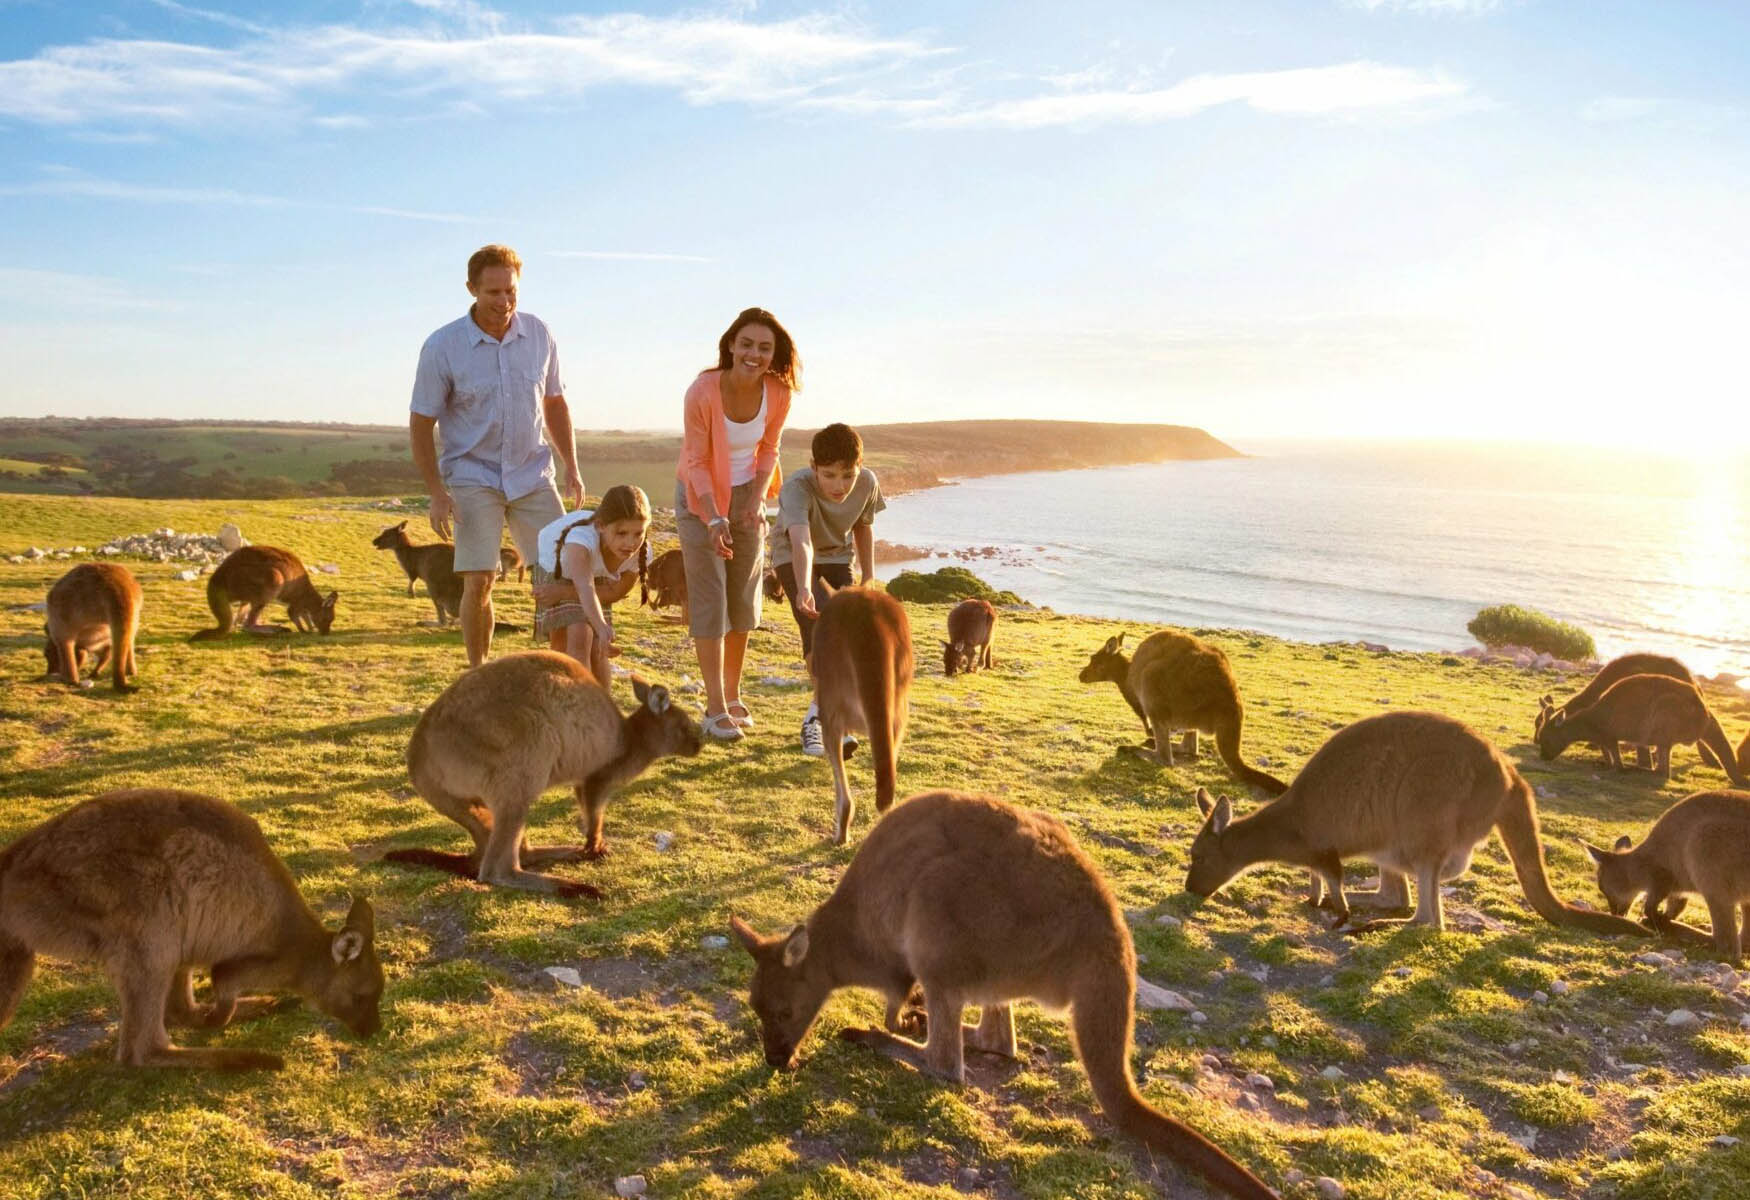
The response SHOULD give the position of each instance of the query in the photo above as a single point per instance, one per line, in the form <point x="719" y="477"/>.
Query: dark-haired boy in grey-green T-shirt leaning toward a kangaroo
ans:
<point x="823" y="512"/>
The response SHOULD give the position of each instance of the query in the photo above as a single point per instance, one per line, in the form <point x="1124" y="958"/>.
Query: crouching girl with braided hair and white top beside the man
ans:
<point x="589" y="561"/>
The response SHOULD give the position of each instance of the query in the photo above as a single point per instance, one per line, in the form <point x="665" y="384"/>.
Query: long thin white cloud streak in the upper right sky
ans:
<point x="1303" y="92"/>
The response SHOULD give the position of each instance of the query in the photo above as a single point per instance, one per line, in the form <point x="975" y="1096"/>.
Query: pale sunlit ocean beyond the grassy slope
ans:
<point x="1399" y="545"/>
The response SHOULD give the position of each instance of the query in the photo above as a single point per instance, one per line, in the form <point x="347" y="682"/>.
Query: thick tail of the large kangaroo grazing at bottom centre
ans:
<point x="1102" y="1019"/>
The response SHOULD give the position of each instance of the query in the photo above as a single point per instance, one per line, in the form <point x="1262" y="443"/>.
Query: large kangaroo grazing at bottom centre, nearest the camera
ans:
<point x="981" y="903"/>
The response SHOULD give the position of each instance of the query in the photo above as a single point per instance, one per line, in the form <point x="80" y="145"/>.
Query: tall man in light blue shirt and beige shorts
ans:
<point x="489" y="384"/>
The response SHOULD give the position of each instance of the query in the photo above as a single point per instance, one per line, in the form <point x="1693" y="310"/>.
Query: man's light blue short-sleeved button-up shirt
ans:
<point x="487" y="396"/>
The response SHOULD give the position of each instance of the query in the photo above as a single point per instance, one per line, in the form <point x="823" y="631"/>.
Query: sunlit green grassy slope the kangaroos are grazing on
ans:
<point x="1452" y="1080"/>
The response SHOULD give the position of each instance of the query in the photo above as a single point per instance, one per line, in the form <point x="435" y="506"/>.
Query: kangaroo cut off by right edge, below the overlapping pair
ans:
<point x="1698" y="848"/>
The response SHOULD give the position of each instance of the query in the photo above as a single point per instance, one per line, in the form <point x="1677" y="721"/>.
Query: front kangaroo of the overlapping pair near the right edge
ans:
<point x="1655" y="711"/>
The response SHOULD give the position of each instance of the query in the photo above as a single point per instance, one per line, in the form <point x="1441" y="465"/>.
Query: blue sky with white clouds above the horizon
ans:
<point x="1485" y="220"/>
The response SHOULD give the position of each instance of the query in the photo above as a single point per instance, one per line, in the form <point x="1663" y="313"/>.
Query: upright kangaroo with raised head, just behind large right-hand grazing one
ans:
<point x="1180" y="683"/>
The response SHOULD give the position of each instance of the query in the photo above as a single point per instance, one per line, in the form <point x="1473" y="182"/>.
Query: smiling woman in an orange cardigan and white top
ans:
<point x="729" y="468"/>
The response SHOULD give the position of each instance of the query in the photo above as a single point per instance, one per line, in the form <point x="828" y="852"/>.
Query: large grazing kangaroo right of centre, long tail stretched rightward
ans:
<point x="1411" y="792"/>
